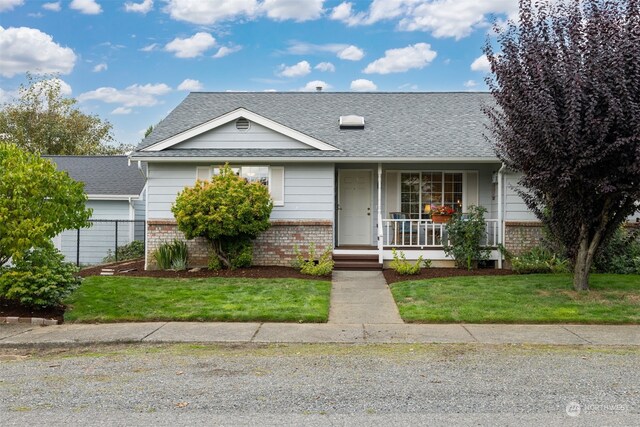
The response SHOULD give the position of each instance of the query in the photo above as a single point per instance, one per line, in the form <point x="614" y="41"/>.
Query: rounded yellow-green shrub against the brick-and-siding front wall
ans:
<point x="225" y="210"/>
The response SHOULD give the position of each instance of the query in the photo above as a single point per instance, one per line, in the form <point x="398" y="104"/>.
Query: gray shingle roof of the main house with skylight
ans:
<point x="397" y="125"/>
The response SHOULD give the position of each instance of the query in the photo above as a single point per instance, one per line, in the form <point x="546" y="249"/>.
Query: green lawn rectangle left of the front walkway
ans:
<point x="122" y="299"/>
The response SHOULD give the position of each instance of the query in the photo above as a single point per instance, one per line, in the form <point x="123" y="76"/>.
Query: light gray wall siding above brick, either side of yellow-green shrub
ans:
<point x="308" y="190"/>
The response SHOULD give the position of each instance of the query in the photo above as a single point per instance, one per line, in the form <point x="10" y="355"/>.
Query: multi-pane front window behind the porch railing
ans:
<point x="433" y="188"/>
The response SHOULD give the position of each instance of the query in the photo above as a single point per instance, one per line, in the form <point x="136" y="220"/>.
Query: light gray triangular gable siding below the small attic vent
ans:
<point x="227" y="136"/>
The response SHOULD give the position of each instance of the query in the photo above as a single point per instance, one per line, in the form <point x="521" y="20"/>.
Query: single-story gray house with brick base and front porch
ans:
<point x="352" y="171"/>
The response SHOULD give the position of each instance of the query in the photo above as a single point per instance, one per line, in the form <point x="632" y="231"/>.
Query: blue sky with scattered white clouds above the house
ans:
<point x="131" y="62"/>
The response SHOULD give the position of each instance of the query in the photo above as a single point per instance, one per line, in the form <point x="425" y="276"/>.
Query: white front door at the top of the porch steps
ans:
<point x="354" y="207"/>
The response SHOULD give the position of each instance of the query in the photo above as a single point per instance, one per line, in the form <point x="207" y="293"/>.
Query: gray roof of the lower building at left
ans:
<point x="102" y="175"/>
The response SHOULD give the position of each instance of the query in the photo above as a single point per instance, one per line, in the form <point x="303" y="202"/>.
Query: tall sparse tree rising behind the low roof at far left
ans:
<point x="41" y="120"/>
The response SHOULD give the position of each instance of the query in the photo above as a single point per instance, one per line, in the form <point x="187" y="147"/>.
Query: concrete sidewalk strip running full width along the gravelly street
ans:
<point x="180" y="332"/>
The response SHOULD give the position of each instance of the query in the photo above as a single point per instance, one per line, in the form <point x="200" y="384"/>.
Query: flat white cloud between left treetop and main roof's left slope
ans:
<point x="133" y="96"/>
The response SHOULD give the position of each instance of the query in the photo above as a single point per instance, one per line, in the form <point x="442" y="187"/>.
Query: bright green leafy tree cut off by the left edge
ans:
<point x="36" y="202"/>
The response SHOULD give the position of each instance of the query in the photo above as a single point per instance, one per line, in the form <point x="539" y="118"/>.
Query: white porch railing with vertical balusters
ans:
<point x="424" y="233"/>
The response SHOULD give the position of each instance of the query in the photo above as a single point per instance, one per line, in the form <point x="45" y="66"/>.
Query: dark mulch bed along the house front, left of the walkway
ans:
<point x="136" y="269"/>
